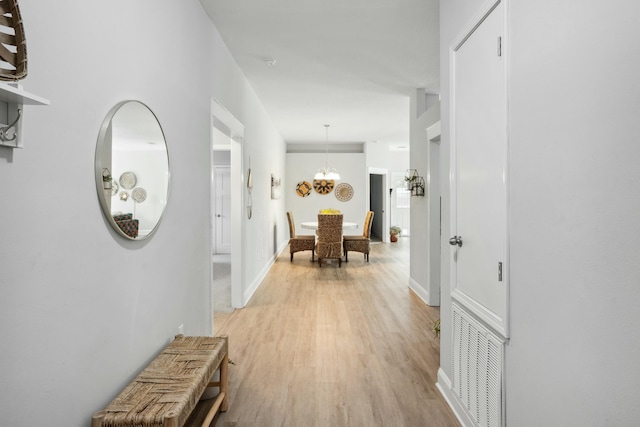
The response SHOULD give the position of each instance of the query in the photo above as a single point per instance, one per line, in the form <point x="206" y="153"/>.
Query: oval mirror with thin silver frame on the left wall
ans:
<point x="132" y="170"/>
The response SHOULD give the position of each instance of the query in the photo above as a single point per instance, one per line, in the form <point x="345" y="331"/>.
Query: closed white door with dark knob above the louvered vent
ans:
<point x="479" y="172"/>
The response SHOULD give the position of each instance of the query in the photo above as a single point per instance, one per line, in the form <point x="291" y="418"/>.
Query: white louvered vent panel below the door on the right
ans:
<point x="477" y="369"/>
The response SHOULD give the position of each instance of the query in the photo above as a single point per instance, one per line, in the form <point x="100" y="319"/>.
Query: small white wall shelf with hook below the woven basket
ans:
<point x="12" y="101"/>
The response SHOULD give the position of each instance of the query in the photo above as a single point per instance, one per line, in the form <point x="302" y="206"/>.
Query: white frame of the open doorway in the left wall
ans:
<point x="224" y="121"/>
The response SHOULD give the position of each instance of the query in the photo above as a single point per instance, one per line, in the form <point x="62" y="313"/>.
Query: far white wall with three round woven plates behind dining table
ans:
<point x="303" y="166"/>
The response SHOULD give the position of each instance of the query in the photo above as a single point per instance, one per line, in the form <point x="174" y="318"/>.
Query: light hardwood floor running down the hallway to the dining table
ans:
<point x="350" y="346"/>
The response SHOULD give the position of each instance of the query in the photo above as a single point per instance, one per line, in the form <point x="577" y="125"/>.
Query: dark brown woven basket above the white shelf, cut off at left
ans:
<point x="13" y="47"/>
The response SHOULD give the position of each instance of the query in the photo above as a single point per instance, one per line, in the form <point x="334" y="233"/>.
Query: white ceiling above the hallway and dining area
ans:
<point x="348" y="63"/>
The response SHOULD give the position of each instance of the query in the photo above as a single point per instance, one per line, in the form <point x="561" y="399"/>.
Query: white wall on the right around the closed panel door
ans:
<point x="574" y="239"/>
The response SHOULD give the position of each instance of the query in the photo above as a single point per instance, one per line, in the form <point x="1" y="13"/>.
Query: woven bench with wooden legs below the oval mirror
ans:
<point x="165" y="393"/>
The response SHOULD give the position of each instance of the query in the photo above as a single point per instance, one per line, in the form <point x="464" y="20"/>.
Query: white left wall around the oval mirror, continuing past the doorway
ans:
<point x="82" y="309"/>
